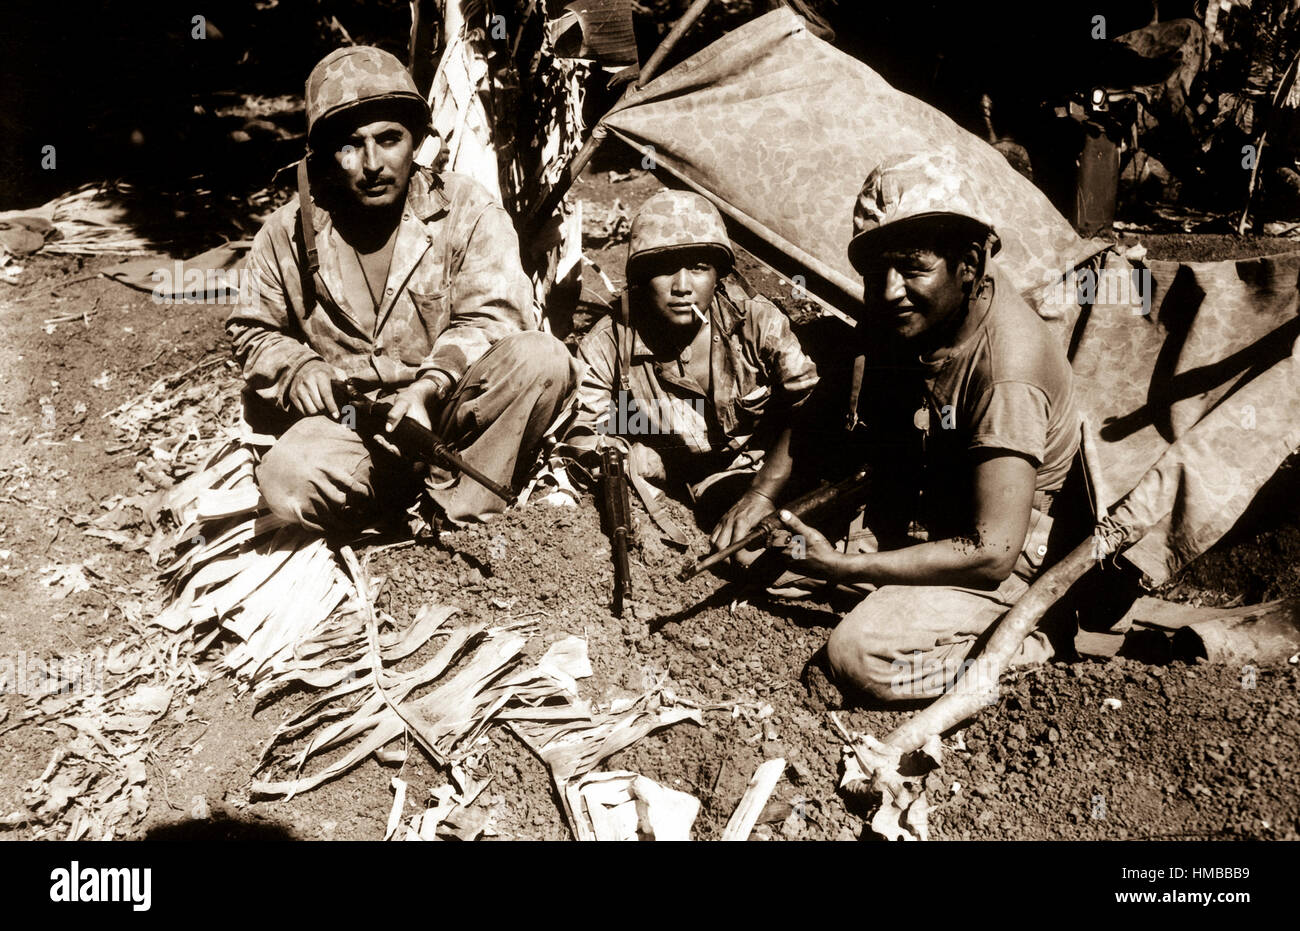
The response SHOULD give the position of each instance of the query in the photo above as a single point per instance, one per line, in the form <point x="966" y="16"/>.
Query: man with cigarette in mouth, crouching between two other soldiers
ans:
<point x="696" y="376"/>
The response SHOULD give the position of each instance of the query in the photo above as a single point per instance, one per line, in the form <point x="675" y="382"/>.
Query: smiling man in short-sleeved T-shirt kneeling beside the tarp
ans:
<point x="998" y="436"/>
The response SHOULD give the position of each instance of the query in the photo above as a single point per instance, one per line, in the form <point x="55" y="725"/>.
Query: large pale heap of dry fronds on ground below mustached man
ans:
<point x="292" y="613"/>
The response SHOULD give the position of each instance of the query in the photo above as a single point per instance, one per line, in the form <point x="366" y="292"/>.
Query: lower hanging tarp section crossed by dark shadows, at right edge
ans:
<point x="1190" y="376"/>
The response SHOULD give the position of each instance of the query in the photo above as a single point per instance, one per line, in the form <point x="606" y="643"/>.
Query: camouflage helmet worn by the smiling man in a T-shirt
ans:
<point x="904" y="190"/>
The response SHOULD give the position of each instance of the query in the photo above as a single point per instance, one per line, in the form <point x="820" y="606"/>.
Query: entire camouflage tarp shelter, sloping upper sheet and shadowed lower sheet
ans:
<point x="1195" y="395"/>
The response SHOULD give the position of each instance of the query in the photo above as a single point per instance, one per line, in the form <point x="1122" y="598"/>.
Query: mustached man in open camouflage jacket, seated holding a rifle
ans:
<point x="419" y="295"/>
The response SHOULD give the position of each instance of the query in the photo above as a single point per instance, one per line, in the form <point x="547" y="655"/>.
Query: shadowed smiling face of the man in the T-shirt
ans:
<point x="912" y="292"/>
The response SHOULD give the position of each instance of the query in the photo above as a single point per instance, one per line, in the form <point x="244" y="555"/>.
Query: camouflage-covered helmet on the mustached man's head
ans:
<point x="359" y="75"/>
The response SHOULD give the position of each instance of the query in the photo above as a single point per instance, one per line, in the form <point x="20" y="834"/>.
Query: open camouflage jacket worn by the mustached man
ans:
<point x="456" y="287"/>
